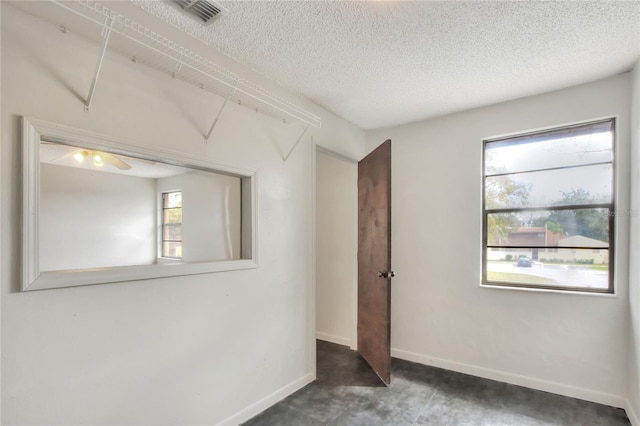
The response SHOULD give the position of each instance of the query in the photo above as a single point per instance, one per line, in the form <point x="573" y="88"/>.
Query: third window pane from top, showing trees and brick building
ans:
<point x="561" y="228"/>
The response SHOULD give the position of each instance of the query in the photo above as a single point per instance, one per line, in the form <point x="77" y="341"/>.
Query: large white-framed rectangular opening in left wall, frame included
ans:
<point x="99" y="210"/>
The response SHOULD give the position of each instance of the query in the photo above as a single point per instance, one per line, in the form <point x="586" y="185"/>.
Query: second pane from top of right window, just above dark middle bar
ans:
<point x="581" y="185"/>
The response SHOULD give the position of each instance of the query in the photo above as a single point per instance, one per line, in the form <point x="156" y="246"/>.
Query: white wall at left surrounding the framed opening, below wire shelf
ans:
<point x="202" y="349"/>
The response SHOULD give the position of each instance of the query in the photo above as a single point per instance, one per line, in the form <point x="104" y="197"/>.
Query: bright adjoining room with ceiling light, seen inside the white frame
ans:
<point x="103" y="210"/>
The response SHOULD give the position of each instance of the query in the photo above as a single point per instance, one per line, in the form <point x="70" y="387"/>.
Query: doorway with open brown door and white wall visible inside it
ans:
<point x="353" y="254"/>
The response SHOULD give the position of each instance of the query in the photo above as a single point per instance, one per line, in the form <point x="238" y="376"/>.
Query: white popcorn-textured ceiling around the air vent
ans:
<point x="379" y="64"/>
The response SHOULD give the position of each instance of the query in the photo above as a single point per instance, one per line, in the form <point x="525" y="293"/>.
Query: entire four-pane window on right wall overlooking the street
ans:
<point x="554" y="175"/>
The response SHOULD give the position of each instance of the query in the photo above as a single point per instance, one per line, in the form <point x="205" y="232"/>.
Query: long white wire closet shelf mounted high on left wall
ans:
<point x="145" y="46"/>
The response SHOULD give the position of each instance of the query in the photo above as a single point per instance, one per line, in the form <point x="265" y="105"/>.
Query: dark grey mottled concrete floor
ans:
<point x="347" y="392"/>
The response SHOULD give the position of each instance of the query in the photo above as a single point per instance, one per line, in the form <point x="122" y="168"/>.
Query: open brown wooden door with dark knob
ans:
<point x="374" y="259"/>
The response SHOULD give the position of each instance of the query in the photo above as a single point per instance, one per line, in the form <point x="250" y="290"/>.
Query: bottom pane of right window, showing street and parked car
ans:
<point x="574" y="268"/>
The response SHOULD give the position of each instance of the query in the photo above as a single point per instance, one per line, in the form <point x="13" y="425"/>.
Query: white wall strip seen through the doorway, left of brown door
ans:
<point x="336" y="248"/>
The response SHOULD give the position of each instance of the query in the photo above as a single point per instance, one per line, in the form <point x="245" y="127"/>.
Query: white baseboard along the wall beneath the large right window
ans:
<point x="515" y="379"/>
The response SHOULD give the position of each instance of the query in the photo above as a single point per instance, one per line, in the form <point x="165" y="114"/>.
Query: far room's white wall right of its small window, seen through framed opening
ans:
<point x="210" y="215"/>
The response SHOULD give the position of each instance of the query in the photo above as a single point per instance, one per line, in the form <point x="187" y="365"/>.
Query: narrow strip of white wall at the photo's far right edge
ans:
<point x="633" y="409"/>
